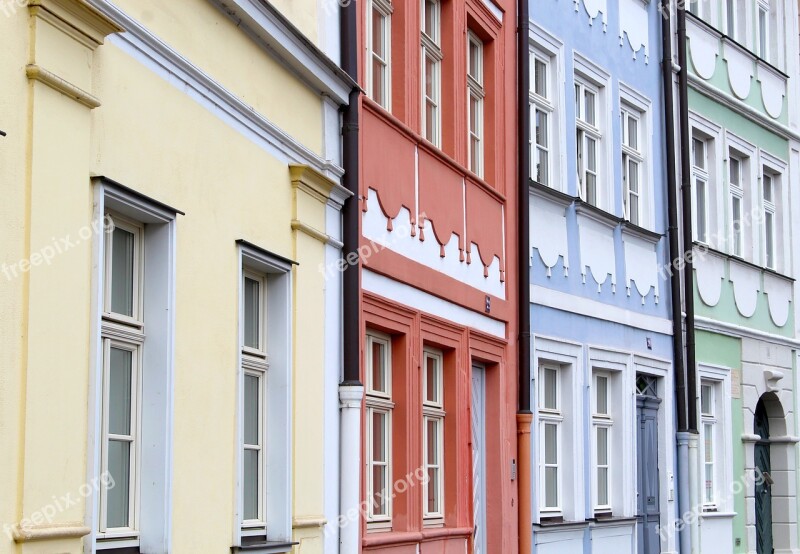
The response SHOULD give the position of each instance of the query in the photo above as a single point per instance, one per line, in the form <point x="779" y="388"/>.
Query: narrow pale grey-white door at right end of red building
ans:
<point x="479" y="458"/>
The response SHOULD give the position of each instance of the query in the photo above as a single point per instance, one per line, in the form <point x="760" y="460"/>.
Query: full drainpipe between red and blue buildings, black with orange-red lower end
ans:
<point x="524" y="414"/>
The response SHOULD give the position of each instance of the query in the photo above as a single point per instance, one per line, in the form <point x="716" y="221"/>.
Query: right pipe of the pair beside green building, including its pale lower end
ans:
<point x="690" y="437"/>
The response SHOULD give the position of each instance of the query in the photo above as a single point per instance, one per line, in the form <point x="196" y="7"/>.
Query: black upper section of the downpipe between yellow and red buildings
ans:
<point x="351" y="277"/>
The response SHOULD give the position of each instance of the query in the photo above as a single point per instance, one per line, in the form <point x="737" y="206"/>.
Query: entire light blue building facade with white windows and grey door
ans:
<point x="603" y="455"/>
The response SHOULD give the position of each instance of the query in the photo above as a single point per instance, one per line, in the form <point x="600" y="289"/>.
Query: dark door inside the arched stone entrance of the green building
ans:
<point x="763" y="466"/>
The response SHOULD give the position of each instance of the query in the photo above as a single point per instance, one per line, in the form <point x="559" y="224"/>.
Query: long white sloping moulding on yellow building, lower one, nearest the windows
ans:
<point x="147" y="48"/>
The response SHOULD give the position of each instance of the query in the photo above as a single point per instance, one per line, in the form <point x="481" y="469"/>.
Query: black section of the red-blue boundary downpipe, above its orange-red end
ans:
<point x="523" y="219"/>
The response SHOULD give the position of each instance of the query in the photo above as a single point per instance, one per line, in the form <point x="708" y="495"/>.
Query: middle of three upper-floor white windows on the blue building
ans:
<point x="588" y="141"/>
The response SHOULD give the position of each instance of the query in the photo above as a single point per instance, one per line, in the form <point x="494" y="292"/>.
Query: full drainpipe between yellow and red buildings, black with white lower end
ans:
<point x="351" y="391"/>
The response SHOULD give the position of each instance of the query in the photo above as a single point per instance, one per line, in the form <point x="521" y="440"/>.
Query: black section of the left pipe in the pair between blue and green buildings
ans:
<point x="673" y="233"/>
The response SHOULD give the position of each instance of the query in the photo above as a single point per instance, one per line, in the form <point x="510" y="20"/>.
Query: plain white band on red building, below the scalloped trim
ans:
<point x="424" y="302"/>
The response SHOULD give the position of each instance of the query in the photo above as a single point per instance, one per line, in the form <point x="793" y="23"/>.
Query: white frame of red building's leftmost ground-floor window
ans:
<point x="379" y="401"/>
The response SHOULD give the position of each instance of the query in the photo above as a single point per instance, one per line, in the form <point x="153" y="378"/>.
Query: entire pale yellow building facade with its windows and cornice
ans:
<point x="170" y="330"/>
